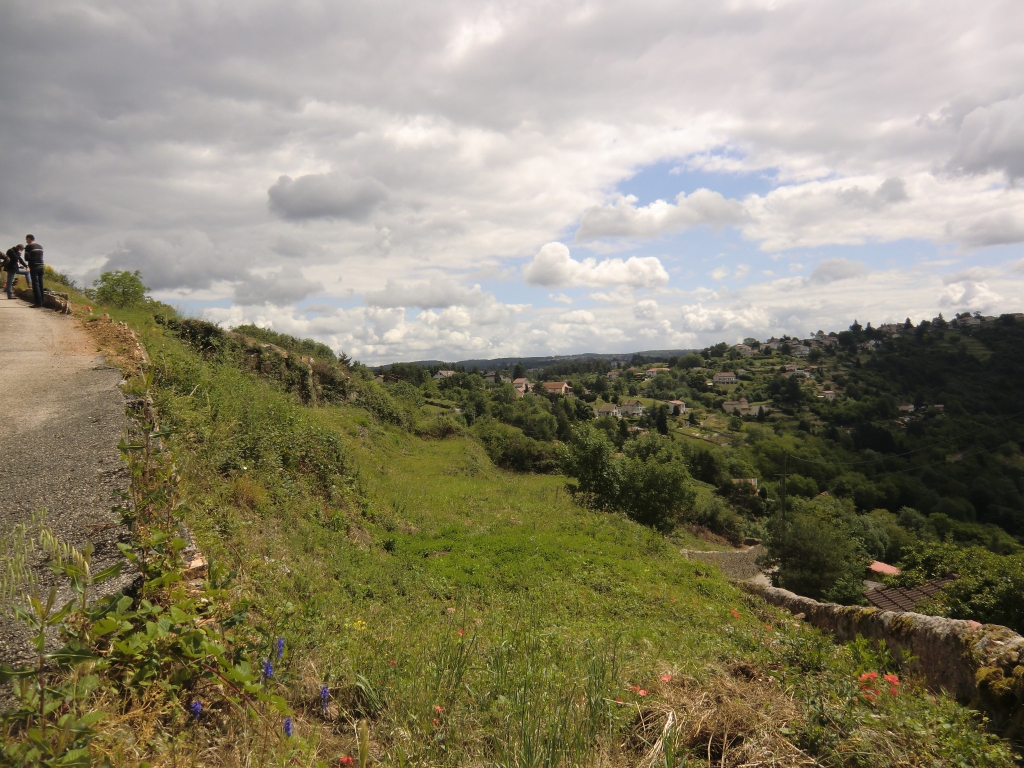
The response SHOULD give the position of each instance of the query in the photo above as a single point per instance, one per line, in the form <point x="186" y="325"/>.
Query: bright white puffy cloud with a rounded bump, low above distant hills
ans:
<point x="553" y="266"/>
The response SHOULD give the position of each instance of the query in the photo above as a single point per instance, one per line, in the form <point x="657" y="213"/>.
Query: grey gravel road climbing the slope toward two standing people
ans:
<point x="64" y="416"/>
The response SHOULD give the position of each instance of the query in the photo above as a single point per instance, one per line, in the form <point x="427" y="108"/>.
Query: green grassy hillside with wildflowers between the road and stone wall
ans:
<point x="467" y="615"/>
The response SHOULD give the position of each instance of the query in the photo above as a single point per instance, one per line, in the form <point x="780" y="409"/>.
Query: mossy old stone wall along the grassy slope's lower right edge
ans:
<point x="982" y="665"/>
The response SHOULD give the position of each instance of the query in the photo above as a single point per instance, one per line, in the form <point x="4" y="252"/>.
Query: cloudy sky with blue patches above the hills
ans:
<point x="447" y="180"/>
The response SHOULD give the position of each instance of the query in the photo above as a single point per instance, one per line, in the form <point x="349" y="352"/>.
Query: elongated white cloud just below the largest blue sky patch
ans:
<point x="623" y="219"/>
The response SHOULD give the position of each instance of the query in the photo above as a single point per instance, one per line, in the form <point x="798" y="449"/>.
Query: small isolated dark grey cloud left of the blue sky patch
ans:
<point x="325" y="196"/>
